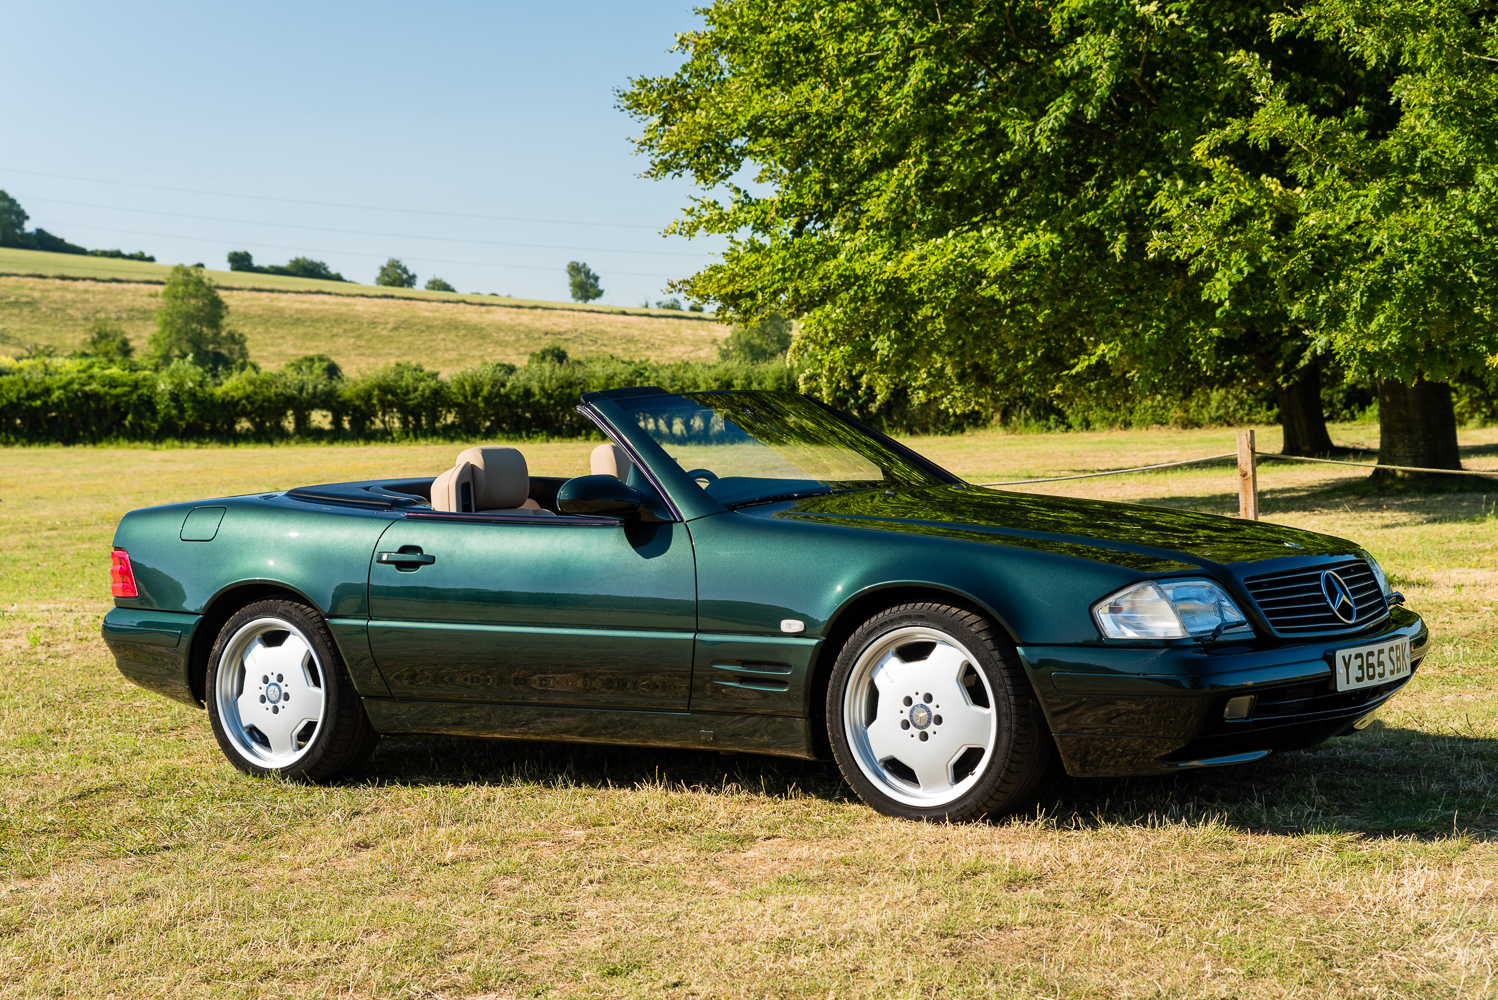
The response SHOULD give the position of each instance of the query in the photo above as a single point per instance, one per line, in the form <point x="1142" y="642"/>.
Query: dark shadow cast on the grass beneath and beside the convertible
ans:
<point x="1383" y="782"/>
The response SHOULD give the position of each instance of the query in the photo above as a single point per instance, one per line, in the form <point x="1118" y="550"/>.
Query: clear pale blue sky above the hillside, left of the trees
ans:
<point x="474" y="141"/>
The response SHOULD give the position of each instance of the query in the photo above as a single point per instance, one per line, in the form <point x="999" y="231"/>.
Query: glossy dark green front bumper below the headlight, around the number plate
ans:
<point x="1147" y="710"/>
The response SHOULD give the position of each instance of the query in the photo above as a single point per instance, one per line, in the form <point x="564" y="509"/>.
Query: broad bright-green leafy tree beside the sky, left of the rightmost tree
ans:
<point x="959" y="200"/>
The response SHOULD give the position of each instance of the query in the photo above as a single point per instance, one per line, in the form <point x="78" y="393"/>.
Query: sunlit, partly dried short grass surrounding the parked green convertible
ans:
<point x="139" y="863"/>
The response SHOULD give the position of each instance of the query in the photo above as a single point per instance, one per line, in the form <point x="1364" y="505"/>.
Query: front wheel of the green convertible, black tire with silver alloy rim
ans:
<point x="992" y="758"/>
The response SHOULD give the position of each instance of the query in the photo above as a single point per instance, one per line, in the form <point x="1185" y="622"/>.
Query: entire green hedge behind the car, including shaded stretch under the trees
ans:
<point x="85" y="400"/>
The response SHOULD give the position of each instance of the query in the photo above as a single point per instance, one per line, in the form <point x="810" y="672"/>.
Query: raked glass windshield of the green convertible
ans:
<point x="757" y="447"/>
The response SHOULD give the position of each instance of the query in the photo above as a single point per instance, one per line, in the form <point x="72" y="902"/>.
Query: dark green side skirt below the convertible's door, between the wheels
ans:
<point x="780" y="736"/>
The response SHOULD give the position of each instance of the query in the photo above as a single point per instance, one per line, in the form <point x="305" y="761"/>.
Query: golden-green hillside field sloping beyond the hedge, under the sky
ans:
<point x="362" y="327"/>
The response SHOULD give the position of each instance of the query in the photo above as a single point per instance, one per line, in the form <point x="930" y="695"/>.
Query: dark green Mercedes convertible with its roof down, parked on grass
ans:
<point x="756" y="573"/>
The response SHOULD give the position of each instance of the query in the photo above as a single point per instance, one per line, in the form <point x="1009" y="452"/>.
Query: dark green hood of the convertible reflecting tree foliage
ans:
<point x="1151" y="540"/>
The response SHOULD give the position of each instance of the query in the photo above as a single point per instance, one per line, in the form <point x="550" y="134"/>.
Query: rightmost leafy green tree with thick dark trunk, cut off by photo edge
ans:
<point x="1385" y="218"/>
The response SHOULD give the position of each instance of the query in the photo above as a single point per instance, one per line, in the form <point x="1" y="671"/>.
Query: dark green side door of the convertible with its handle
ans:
<point x="542" y="612"/>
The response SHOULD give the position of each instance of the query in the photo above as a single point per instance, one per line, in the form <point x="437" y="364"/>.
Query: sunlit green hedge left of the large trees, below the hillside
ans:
<point x="80" y="400"/>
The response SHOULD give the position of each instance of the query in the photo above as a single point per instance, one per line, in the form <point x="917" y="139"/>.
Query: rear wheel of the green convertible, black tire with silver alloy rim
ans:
<point x="324" y="736"/>
